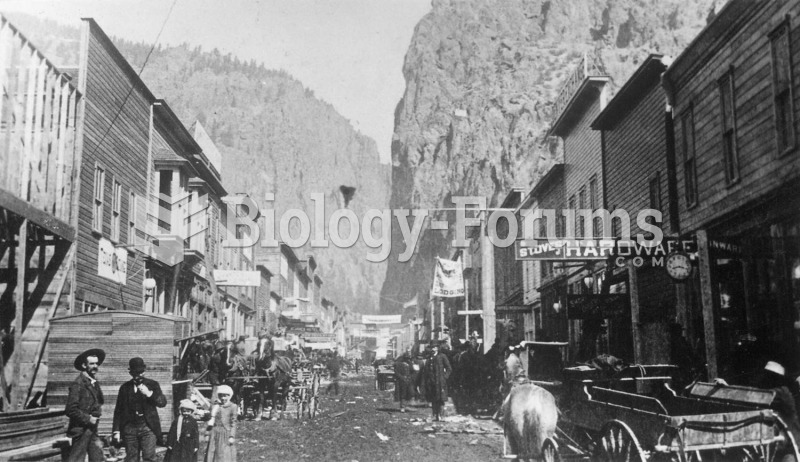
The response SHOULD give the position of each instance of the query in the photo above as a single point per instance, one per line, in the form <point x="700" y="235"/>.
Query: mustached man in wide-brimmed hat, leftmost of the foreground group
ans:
<point x="84" y="408"/>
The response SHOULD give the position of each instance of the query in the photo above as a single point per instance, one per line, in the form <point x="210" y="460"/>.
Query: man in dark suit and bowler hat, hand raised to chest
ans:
<point x="135" y="416"/>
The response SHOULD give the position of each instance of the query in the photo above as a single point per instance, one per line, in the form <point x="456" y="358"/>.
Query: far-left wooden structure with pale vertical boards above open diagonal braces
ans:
<point x="41" y="113"/>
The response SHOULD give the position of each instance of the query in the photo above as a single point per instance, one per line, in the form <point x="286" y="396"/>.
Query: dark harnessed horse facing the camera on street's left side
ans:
<point x="277" y="370"/>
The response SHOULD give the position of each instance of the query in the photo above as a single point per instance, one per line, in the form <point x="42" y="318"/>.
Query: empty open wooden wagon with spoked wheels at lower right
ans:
<point x="632" y="414"/>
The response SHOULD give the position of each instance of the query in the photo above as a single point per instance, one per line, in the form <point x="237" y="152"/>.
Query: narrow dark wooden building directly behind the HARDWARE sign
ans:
<point x="634" y="128"/>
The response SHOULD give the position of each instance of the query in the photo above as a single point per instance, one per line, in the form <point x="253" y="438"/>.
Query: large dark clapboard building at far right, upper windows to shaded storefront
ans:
<point x="734" y="94"/>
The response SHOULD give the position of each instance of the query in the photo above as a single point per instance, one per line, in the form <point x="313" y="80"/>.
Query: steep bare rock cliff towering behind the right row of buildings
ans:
<point x="481" y="77"/>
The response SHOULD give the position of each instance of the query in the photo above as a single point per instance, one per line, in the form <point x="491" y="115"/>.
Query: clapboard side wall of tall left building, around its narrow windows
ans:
<point x="119" y="147"/>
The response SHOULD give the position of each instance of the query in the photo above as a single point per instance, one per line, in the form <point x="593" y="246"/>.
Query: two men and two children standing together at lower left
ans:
<point x="136" y="422"/>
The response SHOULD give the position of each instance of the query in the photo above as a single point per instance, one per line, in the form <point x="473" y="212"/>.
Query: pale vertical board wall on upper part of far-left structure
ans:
<point x="38" y="107"/>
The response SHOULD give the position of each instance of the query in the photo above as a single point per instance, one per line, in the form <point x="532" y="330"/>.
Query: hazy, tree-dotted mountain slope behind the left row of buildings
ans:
<point x="274" y="135"/>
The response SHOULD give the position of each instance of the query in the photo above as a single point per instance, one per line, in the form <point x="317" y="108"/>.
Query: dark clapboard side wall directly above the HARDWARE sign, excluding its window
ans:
<point x="635" y="151"/>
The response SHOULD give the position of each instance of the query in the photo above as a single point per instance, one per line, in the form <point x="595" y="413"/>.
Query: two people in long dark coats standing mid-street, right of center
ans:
<point x="425" y="375"/>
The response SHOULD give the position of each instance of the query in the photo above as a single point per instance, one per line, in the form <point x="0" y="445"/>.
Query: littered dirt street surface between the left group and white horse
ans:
<point x="364" y="424"/>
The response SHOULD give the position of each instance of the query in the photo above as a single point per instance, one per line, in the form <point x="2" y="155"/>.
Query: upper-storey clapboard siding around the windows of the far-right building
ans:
<point x="761" y="169"/>
